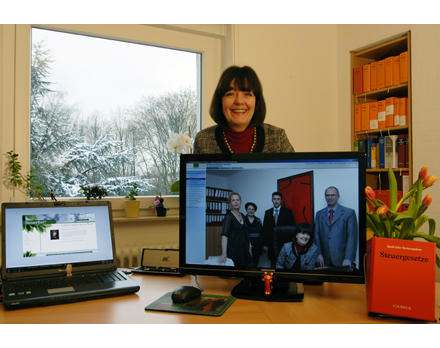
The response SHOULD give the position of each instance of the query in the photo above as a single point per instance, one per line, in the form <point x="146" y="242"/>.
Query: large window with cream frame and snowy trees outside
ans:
<point x="111" y="133"/>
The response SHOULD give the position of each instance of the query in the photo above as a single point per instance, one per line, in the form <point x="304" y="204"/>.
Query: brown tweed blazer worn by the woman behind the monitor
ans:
<point x="269" y="139"/>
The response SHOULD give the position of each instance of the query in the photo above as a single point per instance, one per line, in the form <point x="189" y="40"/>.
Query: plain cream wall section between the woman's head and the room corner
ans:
<point x="296" y="64"/>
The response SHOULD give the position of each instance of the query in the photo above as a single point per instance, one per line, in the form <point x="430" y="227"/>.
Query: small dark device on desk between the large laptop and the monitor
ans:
<point x="159" y="261"/>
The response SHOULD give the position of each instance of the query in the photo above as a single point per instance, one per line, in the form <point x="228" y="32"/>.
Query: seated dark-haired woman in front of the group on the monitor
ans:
<point x="301" y="253"/>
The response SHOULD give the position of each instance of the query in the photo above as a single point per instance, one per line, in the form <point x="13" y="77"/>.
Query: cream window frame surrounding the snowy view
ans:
<point x="15" y="62"/>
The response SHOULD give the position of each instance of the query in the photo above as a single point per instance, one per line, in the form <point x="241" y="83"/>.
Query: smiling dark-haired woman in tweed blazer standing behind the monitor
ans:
<point x="239" y="109"/>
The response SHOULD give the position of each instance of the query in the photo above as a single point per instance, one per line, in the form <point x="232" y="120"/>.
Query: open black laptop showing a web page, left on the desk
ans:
<point x="59" y="252"/>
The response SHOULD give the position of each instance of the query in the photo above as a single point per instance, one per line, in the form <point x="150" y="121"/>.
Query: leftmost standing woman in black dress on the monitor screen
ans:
<point x="235" y="241"/>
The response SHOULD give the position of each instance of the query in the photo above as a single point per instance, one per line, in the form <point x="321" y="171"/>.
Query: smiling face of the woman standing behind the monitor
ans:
<point x="238" y="108"/>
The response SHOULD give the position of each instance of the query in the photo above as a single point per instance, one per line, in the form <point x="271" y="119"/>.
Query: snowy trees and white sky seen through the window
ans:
<point x="103" y="110"/>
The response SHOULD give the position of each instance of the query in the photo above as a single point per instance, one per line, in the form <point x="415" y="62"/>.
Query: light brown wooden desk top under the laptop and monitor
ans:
<point x="327" y="303"/>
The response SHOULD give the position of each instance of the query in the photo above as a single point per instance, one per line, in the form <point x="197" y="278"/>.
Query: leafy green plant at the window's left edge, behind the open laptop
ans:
<point x="14" y="178"/>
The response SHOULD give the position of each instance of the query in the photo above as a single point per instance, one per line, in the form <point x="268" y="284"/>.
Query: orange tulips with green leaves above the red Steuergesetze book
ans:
<point x="385" y="221"/>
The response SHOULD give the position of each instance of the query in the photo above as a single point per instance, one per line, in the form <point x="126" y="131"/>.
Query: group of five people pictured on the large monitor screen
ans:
<point x="331" y="242"/>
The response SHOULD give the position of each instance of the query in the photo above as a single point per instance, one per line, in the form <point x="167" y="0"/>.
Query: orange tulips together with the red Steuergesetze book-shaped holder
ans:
<point x="401" y="271"/>
